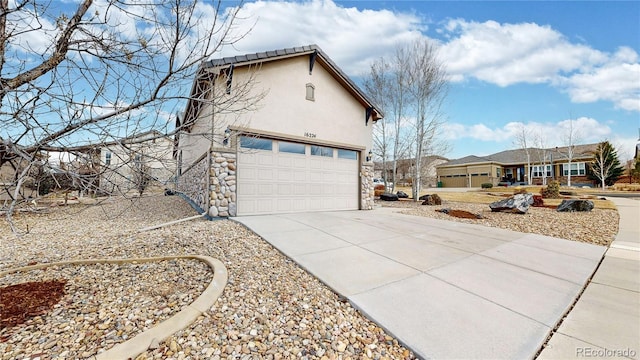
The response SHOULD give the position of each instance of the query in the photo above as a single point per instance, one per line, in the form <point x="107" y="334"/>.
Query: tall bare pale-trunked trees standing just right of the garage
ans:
<point x="410" y="88"/>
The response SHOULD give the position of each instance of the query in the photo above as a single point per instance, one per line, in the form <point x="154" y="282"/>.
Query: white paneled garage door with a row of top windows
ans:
<point x="281" y="177"/>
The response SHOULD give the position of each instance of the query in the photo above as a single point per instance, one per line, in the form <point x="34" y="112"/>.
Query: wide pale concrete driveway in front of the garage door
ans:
<point x="447" y="290"/>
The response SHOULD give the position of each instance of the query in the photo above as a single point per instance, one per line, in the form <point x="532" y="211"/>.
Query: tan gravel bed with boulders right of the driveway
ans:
<point x="598" y="226"/>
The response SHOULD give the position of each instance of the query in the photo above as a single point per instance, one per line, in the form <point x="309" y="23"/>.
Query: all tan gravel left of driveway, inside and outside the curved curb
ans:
<point x="270" y="308"/>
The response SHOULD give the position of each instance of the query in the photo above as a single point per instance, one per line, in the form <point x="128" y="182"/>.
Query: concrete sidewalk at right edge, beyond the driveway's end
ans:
<point x="605" y="323"/>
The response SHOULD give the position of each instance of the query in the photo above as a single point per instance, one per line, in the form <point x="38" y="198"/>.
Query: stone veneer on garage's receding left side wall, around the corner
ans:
<point x="193" y="182"/>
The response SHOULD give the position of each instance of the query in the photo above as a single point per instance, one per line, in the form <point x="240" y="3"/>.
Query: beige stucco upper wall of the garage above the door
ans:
<point x="276" y="104"/>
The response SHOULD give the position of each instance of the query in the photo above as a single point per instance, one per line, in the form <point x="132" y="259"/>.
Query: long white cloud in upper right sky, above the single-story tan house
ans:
<point x="505" y="54"/>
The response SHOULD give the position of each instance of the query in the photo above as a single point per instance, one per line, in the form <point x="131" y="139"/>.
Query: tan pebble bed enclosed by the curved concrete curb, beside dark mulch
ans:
<point x="105" y="304"/>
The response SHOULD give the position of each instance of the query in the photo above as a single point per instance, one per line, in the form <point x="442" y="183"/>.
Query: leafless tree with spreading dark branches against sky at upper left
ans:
<point x="76" y="74"/>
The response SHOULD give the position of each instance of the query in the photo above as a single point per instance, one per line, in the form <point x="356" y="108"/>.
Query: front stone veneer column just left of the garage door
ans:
<point x="222" y="188"/>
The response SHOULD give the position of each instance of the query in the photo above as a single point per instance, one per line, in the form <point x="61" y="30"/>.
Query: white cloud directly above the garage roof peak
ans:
<point x="352" y="37"/>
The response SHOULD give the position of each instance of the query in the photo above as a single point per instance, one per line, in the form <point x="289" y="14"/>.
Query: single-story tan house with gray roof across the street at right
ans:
<point x="510" y="166"/>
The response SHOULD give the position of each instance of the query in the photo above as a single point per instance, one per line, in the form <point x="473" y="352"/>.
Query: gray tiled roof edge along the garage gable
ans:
<point x="266" y="56"/>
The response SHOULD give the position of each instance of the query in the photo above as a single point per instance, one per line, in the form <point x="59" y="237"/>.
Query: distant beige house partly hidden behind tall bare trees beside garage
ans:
<point x="404" y="170"/>
